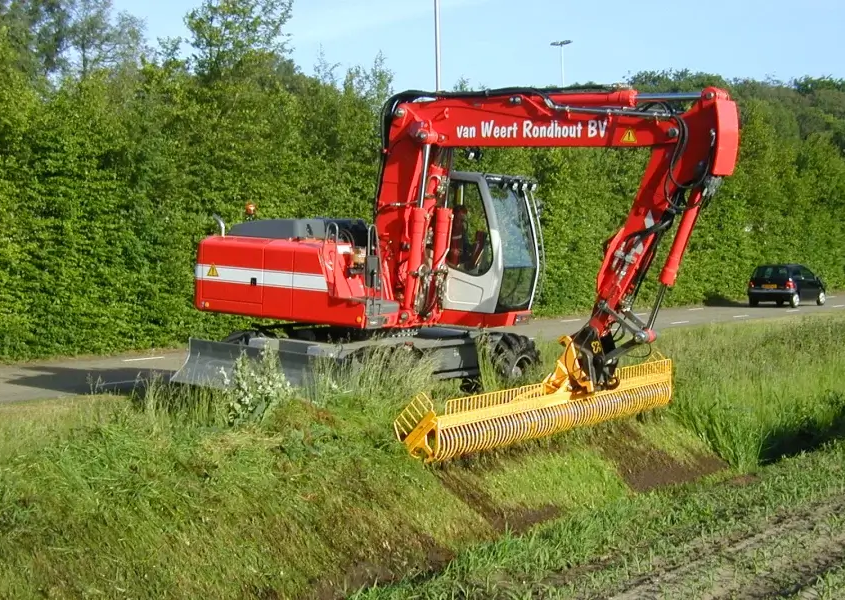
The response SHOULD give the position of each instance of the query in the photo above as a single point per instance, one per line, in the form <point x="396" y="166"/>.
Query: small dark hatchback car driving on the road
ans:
<point x="790" y="283"/>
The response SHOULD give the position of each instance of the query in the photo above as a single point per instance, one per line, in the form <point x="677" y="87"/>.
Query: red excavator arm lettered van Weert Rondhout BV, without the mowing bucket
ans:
<point x="691" y="151"/>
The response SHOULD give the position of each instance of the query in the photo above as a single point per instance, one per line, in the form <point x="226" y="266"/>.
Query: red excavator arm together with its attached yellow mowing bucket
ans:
<point x="692" y="150"/>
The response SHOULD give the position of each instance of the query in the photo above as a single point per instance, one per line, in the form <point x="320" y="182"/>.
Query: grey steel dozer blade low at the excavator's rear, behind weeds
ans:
<point x="211" y="364"/>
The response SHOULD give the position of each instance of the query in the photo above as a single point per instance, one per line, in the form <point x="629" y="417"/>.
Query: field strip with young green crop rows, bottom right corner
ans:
<point x="772" y="535"/>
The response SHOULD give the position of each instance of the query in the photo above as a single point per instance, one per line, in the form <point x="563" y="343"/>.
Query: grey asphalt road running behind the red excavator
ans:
<point x="68" y="377"/>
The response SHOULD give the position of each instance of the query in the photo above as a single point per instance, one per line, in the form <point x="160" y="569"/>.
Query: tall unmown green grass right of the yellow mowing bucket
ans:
<point x="758" y="389"/>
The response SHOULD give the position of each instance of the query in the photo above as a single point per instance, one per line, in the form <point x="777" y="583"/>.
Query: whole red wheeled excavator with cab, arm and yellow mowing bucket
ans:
<point x="450" y="253"/>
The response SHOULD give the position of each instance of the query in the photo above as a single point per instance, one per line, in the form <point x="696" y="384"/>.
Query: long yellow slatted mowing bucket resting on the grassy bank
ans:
<point x="503" y="418"/>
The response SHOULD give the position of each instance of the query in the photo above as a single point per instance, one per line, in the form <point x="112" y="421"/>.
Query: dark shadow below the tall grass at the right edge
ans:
<point x="811" y="434"/>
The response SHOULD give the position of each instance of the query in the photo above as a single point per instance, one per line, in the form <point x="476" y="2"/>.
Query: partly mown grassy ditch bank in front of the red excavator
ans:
<point x="162" y="497"/>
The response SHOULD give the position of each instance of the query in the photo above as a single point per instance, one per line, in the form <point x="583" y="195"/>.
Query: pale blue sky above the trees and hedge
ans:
<point x="497" y="43"/>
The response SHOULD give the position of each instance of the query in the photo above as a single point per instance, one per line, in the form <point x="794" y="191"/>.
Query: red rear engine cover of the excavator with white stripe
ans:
<point x="286" y="269"/>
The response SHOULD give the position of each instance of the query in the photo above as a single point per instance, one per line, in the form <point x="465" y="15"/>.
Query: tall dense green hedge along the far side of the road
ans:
<point x="108" y="182"/>
